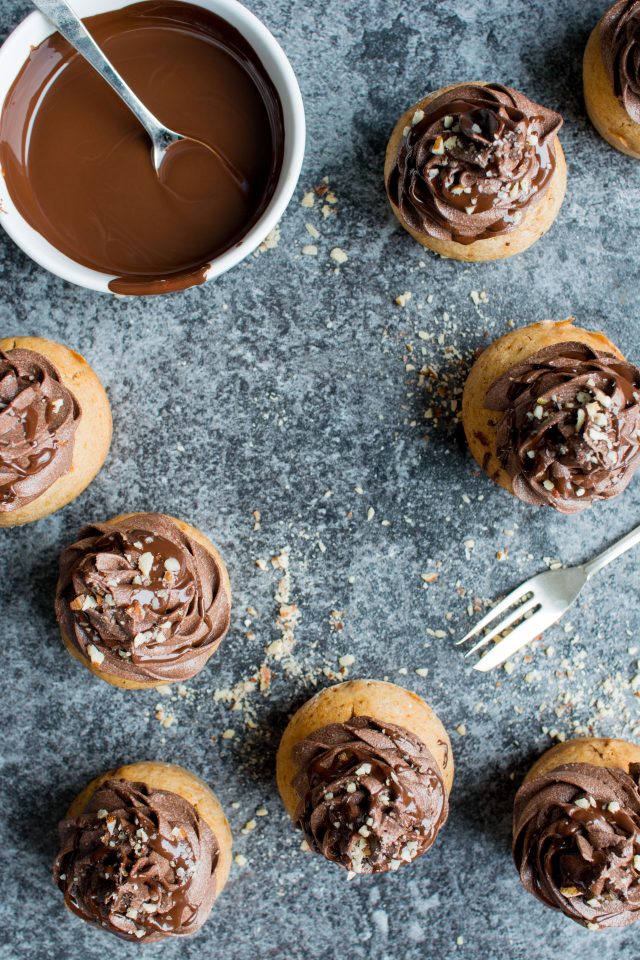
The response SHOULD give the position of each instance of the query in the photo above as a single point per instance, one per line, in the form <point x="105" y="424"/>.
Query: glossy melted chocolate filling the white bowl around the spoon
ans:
<point x="83" y="175"/>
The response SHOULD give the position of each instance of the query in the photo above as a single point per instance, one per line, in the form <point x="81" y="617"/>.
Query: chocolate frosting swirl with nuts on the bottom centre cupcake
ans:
<point x="372" y="796"/>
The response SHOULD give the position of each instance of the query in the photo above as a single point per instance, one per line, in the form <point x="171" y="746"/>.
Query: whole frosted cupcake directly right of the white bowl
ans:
<point x="476" y="172"/>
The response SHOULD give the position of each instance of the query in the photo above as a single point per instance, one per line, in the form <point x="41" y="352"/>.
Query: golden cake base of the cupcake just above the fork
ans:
<point x="512" y="349"/>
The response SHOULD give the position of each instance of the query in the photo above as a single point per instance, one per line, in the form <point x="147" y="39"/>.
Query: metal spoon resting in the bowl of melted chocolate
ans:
<point x="69" y="24"/>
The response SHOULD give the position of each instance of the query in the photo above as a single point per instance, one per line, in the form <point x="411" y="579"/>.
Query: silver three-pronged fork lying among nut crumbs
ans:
<point x="541" y="601"/>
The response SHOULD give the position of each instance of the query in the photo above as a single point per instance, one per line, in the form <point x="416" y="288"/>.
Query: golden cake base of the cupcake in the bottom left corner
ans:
<point x="173" y="779"/>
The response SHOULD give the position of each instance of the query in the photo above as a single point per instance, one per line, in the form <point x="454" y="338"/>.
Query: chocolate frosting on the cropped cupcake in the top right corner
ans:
<point x="620" y="47"/>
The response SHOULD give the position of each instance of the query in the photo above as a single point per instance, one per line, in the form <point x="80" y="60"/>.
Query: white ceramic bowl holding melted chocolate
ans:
<point x="37" y="28"/>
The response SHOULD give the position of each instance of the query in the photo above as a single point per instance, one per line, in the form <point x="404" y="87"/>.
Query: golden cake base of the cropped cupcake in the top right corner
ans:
<point x="605" y="110"/>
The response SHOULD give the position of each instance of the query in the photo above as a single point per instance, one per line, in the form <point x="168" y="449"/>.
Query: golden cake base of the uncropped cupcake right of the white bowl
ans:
<point x="534" y="225"/>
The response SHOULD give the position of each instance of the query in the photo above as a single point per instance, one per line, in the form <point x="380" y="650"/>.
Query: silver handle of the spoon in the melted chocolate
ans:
<point x="72" y="29"/>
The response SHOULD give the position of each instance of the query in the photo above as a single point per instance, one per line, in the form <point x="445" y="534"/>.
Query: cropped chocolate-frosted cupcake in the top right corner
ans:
<point x="612" y="77"/>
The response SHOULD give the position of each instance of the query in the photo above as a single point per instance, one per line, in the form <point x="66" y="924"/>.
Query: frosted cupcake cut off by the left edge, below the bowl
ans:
<point x="55" y="428"/>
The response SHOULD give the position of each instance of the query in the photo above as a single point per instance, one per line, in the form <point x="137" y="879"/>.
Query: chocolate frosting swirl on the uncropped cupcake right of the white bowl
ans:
<point x="472" y="163"/>
